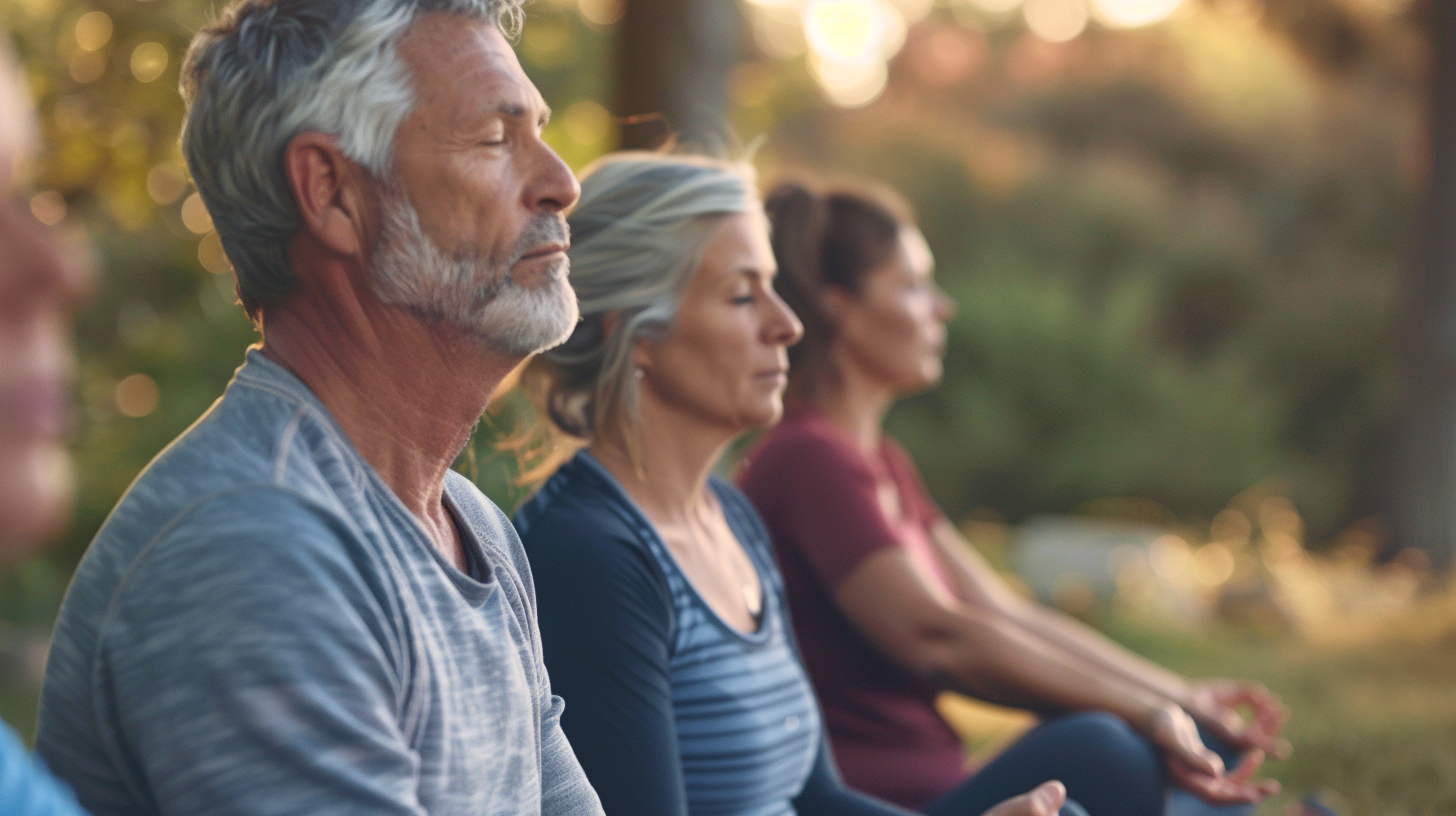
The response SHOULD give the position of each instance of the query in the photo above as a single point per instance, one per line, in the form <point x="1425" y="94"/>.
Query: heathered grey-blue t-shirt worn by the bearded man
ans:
<point x="261" y="627"/>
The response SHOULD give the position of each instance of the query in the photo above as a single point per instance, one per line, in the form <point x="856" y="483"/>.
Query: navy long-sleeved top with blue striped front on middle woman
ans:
<point x="670" y="710"/>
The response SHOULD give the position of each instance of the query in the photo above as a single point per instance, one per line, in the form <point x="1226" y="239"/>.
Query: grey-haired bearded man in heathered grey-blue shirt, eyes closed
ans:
<point x="298" y="607"/>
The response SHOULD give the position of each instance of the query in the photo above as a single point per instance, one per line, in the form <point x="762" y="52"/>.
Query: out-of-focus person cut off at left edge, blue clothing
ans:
<point x="39" y="292"/>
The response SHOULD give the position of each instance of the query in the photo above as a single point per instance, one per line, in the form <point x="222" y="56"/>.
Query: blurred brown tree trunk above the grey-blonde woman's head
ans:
<point x="673" y="63"/>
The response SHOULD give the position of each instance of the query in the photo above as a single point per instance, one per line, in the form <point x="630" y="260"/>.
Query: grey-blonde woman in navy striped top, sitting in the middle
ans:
<point x="663" y="619"/>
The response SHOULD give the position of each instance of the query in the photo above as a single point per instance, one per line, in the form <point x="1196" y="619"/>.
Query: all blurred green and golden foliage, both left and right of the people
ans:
<point x="1176" y="250"/>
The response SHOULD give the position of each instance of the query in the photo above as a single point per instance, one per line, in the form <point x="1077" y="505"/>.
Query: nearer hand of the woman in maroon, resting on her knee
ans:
<point x="1198" y="770"/>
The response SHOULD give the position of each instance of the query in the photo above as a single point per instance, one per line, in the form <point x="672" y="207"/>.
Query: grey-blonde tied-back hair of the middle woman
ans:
<point x="637" y="238"/>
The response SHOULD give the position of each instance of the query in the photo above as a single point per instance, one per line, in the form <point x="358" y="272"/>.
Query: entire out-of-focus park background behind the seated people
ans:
<point x="1199" y="390"/>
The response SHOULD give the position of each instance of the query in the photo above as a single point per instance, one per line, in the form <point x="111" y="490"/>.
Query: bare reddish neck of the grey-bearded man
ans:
<point x="407" y="393"/>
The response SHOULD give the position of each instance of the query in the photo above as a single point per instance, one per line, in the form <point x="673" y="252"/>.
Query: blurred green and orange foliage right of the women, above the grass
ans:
<point x="1177" y="254"/>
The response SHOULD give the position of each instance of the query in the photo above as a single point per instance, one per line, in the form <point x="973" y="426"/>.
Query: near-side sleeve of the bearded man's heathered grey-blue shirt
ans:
<point x="267" y="681"/>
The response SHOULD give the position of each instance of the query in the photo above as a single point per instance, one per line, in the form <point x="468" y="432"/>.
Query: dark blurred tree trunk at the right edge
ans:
<point x="1420" y="490"/>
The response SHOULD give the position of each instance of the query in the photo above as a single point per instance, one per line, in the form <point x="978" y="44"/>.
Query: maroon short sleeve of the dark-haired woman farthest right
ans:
<point x="819" y="498"/>
